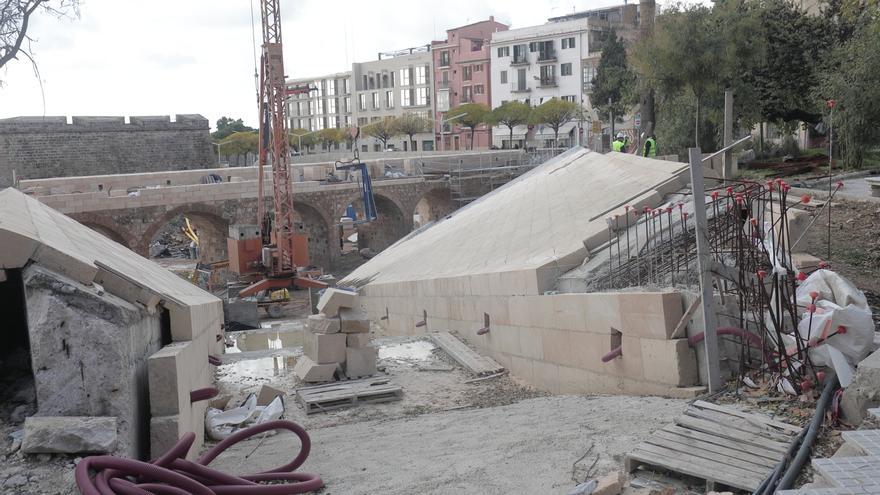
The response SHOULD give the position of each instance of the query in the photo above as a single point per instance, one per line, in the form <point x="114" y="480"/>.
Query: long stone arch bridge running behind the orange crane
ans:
<point x="131" y="209"/>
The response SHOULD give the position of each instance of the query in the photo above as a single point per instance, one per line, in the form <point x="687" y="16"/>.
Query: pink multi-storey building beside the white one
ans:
<point x="462" y="75"/>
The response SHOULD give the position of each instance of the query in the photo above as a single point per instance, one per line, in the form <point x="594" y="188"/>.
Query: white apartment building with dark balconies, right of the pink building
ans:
<point x="554" y="60"/>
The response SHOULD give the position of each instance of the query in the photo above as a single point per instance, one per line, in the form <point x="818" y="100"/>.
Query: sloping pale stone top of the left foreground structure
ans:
<point x="32" y="231"/>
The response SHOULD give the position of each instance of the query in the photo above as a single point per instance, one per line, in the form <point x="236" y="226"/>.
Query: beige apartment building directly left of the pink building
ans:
<point x="397" y="83"/>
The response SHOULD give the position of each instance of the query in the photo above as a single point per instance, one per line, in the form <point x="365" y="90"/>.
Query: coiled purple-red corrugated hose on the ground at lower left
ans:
<point x="172" y="474"/>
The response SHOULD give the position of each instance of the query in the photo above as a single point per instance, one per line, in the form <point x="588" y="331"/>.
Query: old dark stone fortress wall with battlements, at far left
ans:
<point x="38" y="147"/>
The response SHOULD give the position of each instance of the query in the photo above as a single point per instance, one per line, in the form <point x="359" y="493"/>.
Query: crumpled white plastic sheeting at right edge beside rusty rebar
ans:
<point x="839" y="303"/>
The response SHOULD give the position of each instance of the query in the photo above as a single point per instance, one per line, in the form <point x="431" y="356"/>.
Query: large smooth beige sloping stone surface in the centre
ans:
<point x="543" y="218"/>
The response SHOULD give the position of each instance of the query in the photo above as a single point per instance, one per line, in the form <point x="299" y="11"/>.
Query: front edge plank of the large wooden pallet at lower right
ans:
<point x="683" y="463"/>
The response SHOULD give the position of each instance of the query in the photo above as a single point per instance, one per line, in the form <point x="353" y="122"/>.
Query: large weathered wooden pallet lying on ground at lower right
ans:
<point x="718" y="444"/>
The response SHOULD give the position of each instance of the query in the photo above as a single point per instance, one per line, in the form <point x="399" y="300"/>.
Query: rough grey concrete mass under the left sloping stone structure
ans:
<point x="89" y="351"/>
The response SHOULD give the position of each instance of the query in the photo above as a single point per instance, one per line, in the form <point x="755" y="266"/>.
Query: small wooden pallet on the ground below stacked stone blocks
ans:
<point x="321" y="398"/>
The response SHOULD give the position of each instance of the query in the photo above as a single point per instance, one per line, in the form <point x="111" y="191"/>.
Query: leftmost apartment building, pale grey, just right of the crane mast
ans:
<point x="327" y="105"/>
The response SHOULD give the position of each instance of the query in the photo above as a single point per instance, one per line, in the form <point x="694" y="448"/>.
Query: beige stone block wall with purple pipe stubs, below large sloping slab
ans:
<point x="554" y="342"/>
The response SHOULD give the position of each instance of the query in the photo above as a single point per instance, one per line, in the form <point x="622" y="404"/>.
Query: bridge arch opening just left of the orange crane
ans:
<point x="210" y="223"/>
